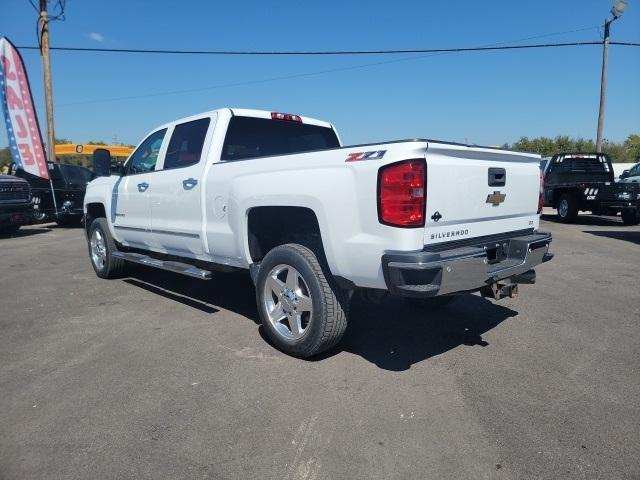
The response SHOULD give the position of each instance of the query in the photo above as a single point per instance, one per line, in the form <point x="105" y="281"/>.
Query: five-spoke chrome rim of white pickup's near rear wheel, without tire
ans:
<point x="287" y="302"/>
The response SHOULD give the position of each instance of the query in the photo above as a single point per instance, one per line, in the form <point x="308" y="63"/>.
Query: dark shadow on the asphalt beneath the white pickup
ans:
<point x="393" y="335"/>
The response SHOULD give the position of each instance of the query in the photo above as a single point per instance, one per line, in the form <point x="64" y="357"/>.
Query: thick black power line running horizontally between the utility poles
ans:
<point x="326" y="52"/>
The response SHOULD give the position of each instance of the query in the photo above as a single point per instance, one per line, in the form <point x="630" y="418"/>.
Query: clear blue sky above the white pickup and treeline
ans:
<point x="484" y="98"/>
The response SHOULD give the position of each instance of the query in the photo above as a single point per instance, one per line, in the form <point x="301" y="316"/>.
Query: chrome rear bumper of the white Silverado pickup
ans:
<point x="465" y="269"/>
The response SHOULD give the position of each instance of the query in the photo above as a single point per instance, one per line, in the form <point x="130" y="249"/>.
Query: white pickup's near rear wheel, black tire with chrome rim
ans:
<point x="301" y="307"/>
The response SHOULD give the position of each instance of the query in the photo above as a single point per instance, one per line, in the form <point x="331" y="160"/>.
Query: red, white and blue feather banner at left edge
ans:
<point x="23" y="131"/>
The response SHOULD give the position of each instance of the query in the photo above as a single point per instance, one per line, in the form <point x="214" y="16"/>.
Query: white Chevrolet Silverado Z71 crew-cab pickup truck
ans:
<point x="313" y="221"/>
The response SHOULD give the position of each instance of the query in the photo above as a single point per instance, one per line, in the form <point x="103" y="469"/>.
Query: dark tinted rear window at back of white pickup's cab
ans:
<point x="250" y="137"/>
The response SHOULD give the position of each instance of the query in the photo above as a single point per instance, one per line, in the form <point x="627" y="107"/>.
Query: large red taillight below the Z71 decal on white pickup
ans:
<point x="401" y="194"/>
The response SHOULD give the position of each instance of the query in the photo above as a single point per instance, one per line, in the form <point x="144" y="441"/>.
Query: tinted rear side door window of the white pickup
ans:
<point x="185" y="147"/>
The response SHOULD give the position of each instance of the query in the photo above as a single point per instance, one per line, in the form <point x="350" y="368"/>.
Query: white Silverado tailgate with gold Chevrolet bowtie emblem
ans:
<point x="476" y="192"/>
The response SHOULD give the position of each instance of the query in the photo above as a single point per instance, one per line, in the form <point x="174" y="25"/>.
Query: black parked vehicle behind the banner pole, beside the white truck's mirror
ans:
<point x="69" y="185"/>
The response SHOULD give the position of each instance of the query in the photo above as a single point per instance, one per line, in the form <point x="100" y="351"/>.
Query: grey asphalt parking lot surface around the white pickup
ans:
<point x="161" y="376"/>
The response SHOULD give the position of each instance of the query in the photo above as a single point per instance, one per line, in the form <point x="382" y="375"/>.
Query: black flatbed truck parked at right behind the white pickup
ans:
<point x="575" y="182"/>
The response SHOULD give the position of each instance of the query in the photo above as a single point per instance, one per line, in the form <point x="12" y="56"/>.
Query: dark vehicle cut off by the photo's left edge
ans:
<point x="15" y="204"/>
